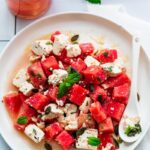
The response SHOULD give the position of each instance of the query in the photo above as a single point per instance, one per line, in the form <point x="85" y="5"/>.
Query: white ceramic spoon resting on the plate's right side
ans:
<point x="132" y="109"/>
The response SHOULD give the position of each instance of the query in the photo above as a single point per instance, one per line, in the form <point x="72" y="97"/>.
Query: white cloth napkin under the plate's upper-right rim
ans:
<point x="118" y="14"/>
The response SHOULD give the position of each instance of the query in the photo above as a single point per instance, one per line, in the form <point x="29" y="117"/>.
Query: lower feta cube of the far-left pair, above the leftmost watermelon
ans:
<point x="26" y="88"/>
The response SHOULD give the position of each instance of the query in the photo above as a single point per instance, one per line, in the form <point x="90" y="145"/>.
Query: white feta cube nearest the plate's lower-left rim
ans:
<point x="34" y="133"/>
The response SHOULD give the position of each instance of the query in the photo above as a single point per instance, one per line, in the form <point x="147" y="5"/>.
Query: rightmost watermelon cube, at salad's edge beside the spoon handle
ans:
<point x="121" y="93"/>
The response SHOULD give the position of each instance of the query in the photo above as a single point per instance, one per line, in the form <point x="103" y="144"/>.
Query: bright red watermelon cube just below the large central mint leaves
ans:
<point x="78" y="94"/>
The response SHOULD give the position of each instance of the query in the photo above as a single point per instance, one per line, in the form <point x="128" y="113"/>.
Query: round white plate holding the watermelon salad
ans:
<point x="79" y="23"/>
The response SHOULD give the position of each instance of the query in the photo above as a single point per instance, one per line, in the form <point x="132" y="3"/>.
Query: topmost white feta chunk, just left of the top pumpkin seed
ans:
<point x="61" y="41"/>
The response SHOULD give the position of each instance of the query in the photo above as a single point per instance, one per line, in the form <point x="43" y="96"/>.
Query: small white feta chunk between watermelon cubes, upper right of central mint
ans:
<point x="90" y="61"/>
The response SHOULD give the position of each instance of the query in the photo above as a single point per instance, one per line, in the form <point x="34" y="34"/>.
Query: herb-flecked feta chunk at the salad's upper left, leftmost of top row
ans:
<point x="42" y="47"/>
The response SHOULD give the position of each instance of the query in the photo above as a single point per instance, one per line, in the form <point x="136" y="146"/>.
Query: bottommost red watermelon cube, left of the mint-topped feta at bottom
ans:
<point x="65" y="140"/>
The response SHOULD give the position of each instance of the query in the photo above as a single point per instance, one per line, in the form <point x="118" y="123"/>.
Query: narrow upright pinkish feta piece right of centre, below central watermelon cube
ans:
<point x="85" y="105"/>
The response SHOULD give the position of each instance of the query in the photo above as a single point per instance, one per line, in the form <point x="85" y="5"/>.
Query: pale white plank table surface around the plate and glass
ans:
<point x="10" y="25"/>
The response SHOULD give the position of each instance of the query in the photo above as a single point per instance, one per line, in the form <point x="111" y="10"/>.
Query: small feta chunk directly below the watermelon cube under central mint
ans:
<point x="70" y="109"/>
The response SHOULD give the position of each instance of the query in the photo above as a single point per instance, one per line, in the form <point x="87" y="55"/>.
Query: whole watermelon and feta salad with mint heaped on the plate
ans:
<point x="70" y="93"/>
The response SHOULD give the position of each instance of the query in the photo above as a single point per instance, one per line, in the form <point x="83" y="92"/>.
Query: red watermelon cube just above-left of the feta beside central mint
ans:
<point x="49" y="64"/>
